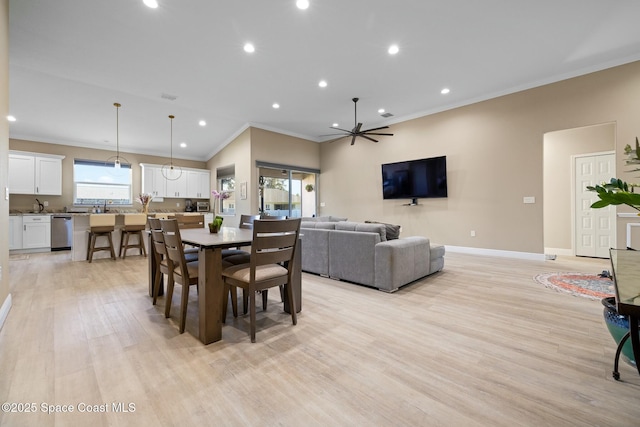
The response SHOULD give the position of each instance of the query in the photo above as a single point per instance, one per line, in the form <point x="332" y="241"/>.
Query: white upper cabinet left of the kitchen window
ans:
<point x="35" y="173"/>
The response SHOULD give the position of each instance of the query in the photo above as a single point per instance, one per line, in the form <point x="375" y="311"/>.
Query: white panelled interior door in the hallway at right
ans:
<point x="595" y="228"/>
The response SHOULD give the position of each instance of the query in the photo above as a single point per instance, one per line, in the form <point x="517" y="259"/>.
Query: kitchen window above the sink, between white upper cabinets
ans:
<point x="98" y="183"/>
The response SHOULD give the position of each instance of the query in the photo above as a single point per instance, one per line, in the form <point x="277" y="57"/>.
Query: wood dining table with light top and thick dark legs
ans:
<point x="210" y="282"/>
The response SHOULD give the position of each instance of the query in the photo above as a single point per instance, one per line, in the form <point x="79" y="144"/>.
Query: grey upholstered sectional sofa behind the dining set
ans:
<point x="361" y="253"/>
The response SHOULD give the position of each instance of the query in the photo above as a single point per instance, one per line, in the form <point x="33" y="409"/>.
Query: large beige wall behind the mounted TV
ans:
<point x="494" y="155"/>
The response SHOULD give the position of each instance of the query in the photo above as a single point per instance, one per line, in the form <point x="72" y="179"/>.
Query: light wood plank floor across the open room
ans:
<point x="479" y="344"/>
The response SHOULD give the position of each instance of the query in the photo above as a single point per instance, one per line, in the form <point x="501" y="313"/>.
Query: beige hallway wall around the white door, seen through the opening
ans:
<point x="559" y="147"/>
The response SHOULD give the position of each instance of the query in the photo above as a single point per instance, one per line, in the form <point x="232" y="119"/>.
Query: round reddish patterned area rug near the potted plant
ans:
<point x="579" y="284"/>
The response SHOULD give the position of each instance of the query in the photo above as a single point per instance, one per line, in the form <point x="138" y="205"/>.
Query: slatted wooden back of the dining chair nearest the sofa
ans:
<point x="274" y="241"/>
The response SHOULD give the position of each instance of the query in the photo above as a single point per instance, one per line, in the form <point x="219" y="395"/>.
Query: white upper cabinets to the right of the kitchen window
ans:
<point x="193" y="183"/>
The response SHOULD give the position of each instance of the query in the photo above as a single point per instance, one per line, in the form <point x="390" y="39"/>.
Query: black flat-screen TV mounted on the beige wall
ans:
<point x="415" y="179"/>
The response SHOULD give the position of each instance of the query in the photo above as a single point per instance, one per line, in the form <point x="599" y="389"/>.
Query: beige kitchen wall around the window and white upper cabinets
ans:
<point x="56" y="203"/>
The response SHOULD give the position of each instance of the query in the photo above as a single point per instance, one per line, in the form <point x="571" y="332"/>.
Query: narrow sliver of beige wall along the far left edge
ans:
<point x="4" y="148"/>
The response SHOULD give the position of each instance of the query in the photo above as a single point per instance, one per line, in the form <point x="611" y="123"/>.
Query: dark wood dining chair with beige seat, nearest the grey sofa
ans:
<point x="271" y="264"/>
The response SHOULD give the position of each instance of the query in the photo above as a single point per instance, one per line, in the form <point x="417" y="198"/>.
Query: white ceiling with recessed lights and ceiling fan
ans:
<point x="70" y="60"/>
